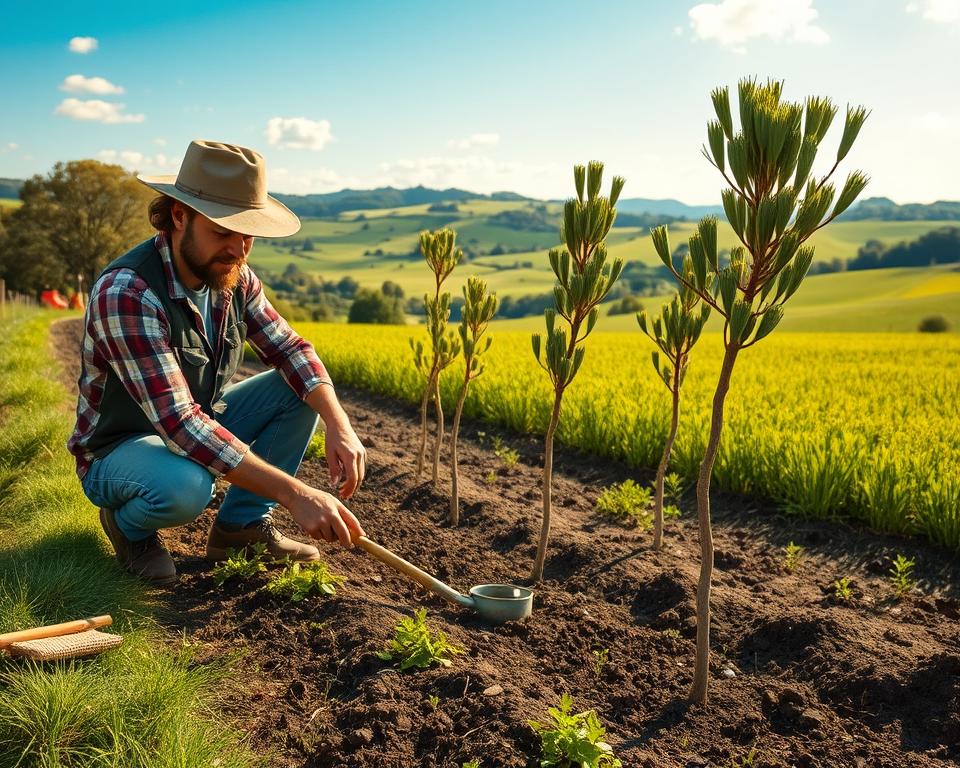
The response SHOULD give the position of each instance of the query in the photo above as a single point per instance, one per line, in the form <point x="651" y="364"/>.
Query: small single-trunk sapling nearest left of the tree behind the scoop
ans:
<point x="478" y="310"/>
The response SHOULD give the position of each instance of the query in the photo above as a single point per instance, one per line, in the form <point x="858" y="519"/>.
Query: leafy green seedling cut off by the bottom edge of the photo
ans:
<point x="574" y="740"/>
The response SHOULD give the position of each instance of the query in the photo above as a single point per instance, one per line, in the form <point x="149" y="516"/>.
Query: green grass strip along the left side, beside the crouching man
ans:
<point x="146" y="703"/>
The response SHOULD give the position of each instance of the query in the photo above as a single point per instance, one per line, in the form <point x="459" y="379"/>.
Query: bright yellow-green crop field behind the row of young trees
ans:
<point x="863" y="426"/>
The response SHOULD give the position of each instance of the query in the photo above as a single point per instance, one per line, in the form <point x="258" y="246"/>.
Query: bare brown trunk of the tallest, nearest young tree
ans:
<point x="698" y="693"/>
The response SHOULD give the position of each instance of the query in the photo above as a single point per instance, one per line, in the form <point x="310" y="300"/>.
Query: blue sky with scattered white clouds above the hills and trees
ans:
<point x="482" y="95"/>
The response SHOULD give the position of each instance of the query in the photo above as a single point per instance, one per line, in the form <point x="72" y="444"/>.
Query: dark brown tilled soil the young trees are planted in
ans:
<point x="874" y="682"/>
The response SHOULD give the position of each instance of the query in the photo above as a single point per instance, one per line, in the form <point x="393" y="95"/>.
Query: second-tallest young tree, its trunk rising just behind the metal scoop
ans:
<point x="585" y="278"/>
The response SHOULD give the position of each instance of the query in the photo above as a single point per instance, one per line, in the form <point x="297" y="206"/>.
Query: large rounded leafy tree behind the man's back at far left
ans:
<point x="73" y="221"/>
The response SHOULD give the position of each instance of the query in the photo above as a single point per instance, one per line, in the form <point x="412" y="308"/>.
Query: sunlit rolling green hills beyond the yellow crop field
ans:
<point x="373" y="246"/>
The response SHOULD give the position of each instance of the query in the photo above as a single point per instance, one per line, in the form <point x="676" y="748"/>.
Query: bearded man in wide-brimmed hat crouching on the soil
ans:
<point x="163" y="335"/>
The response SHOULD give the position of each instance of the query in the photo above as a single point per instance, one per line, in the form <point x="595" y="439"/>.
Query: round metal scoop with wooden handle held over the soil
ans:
<point x="495" y="603"/>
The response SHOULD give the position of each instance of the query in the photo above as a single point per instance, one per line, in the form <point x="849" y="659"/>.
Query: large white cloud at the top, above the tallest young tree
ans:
<point x="733" y="22"/>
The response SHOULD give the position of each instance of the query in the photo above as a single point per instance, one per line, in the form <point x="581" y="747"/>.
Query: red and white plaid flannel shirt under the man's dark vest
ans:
<point x="126" y="329"/>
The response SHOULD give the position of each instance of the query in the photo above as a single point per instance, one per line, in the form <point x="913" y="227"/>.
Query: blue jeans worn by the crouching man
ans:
<point x="150" y="487"/>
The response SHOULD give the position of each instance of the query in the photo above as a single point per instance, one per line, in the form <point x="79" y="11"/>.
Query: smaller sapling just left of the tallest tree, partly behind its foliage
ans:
<point x="675" y="330"/>
